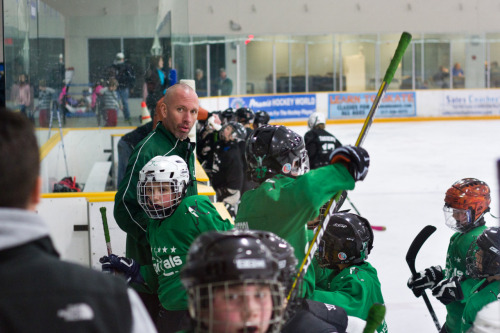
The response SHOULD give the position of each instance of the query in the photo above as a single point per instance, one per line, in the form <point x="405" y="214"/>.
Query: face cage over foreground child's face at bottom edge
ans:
<point x="251" y="305"/>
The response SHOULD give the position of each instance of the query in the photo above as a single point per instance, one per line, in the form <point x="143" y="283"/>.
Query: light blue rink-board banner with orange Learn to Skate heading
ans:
<point x="357" y="105"/>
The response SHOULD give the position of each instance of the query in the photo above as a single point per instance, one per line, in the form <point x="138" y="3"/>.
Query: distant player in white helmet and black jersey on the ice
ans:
<point x="319" y="142"/>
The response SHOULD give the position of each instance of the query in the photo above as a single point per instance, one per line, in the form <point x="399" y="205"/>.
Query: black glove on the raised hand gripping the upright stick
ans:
<point x="356" y="160"/>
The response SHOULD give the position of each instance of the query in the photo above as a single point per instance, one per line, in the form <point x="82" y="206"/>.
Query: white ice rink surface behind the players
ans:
<point x="412" y="166"/>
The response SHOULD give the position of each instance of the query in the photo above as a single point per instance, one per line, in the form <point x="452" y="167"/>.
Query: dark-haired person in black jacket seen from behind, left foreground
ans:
<point x="40" y="292"/>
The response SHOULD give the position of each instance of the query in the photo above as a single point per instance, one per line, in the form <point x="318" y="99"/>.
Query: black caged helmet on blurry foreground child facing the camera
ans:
<point x="222" y="261"/>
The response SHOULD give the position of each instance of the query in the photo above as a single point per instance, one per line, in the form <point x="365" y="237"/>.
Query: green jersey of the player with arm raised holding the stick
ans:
<point x="284" y="205"/>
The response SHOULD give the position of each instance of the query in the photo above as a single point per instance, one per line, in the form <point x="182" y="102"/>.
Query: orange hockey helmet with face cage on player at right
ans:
<point x="468" y="194"/>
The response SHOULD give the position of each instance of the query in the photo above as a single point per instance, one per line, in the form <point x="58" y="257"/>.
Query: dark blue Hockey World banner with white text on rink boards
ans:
<point x="278" y="107"/>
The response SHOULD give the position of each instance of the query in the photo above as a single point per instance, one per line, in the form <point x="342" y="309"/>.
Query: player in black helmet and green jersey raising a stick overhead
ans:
<point x="288" y="196"/>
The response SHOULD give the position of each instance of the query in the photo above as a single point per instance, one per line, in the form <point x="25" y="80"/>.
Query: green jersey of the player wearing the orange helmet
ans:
<point x="455" y="266"/>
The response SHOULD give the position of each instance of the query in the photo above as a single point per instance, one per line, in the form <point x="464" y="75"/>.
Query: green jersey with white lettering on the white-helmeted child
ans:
<point x="170" y="240"/>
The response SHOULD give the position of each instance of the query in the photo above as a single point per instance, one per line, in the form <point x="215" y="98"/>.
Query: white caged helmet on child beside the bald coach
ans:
<point x="162" y="185"/>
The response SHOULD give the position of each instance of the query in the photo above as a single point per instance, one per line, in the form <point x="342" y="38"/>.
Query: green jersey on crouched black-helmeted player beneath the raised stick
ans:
<point x="354" y="288"/>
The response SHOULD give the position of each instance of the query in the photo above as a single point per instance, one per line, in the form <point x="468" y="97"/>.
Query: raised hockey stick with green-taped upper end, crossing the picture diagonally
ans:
<point x="404" y="41"/>
